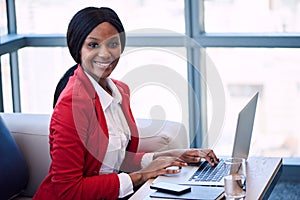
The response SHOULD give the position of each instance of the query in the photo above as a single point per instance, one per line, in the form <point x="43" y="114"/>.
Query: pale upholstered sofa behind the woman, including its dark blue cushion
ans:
<point x="24" y="149"/>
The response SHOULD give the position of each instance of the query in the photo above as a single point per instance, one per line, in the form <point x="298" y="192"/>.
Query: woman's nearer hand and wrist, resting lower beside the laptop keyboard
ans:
<point x="157" y="167"/>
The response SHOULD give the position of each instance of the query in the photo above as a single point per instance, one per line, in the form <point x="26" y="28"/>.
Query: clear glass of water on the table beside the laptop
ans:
<point x="235" y="180"/>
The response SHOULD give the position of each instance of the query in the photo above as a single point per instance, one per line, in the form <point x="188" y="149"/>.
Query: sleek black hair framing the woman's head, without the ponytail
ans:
<point x="84" y="21"/>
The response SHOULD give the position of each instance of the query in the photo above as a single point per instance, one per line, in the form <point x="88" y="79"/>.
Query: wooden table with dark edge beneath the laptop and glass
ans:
<point x="262" y="176"/>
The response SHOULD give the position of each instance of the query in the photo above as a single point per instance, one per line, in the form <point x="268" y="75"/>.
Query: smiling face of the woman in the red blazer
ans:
<point x="101" y="51"/>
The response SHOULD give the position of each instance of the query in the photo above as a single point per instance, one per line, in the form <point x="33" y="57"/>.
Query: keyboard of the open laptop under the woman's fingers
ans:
<point x="208" y="173"/>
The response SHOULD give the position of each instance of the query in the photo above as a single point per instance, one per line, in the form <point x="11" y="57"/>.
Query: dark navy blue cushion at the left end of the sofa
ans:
<point x="13" y="169"/>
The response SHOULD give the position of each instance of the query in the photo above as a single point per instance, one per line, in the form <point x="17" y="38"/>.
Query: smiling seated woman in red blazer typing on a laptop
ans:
<point x="93" y="135"/>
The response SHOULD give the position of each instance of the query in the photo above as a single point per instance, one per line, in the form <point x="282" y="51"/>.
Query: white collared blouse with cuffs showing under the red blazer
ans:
<point x="119" y="135"/>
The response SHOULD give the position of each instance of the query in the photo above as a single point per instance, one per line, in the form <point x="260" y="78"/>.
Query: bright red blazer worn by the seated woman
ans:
<point x="78" y="143"/>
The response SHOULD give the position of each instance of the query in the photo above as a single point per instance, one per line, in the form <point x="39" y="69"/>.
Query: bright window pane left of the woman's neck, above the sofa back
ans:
<point x="40" y="70"/>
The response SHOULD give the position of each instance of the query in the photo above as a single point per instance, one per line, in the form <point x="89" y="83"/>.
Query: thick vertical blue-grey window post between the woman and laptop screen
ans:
<point x="197" y="119"/>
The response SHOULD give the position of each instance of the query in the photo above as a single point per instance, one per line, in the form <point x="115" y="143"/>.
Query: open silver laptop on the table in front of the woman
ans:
<point x="213" y="176"/>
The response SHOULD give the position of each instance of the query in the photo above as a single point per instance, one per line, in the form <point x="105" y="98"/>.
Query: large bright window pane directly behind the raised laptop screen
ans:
<point x="273" y="72"/>
